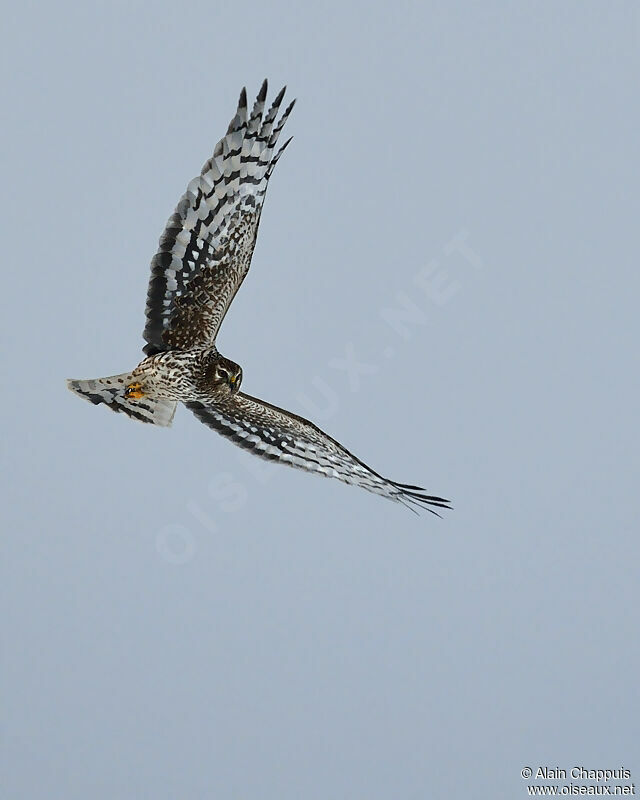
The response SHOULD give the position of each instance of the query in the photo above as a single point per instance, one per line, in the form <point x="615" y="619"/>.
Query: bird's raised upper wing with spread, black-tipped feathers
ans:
<point x="206" y="248"/>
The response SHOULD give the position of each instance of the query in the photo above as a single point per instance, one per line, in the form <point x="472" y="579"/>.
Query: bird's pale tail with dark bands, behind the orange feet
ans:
<point x="111" y="392"/>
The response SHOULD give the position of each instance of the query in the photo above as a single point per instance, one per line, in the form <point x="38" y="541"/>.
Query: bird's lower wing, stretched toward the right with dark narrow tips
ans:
<point x="275" y="434"/>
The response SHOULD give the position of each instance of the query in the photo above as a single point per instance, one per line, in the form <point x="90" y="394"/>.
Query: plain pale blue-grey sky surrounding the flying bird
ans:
<point x="182" y="620"/>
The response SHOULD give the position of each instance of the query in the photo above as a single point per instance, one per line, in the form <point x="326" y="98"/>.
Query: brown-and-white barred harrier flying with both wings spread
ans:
<point x="203" y="257"/>
